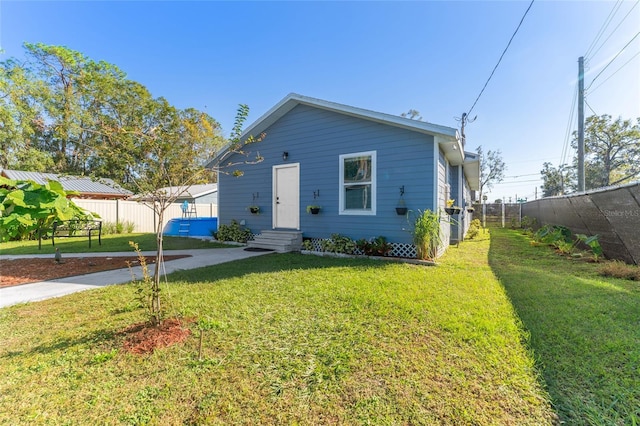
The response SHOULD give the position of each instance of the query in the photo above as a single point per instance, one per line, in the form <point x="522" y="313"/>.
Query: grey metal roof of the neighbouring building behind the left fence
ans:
<point x="88" y="188"/>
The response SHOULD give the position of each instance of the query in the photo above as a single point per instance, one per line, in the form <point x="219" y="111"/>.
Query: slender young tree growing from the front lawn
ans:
<point x="167" y="150"/>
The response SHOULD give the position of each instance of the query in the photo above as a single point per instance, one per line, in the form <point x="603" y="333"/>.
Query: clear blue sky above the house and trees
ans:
<point x="384" y="56"/>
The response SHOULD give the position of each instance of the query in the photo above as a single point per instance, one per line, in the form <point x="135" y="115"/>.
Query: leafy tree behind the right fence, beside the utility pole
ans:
<point x="612" y="151"/>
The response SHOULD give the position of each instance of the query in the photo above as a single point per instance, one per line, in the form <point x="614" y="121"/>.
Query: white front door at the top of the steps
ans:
<point x="286" y="196"/>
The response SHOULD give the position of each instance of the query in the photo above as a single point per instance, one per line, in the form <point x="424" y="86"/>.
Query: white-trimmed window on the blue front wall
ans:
<point x="358" y="183"/>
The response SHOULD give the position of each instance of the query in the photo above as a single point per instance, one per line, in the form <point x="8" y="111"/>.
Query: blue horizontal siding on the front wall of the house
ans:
<point x="315" y="138"/>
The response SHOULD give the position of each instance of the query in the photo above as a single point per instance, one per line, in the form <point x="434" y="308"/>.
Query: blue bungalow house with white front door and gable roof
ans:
<point x="357" y="166"/>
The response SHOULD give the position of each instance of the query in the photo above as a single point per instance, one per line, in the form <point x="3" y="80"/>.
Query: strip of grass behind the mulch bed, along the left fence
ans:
<point x="110" y="243"/>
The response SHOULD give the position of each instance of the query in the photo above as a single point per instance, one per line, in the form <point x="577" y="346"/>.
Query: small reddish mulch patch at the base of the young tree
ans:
<point x="144" y="338"/>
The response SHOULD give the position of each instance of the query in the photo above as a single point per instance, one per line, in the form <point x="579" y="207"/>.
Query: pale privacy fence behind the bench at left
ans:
<point x="141" y="215"/>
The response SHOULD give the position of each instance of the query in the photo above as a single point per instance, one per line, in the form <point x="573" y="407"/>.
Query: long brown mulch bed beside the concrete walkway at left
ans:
<point x="22" y="271"/>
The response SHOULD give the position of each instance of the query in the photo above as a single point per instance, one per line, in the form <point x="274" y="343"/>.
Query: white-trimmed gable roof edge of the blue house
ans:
<point x="448" y="137"/>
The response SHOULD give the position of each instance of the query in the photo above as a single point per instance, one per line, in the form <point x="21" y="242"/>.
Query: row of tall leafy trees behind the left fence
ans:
<point x="63" y="112"/>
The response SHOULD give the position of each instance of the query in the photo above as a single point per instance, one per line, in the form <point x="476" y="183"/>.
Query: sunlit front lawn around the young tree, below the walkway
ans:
<point x="294" y="339"/>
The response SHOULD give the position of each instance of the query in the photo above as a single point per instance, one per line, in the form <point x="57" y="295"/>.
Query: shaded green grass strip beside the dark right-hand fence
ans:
<point x="584" y="328"/>
